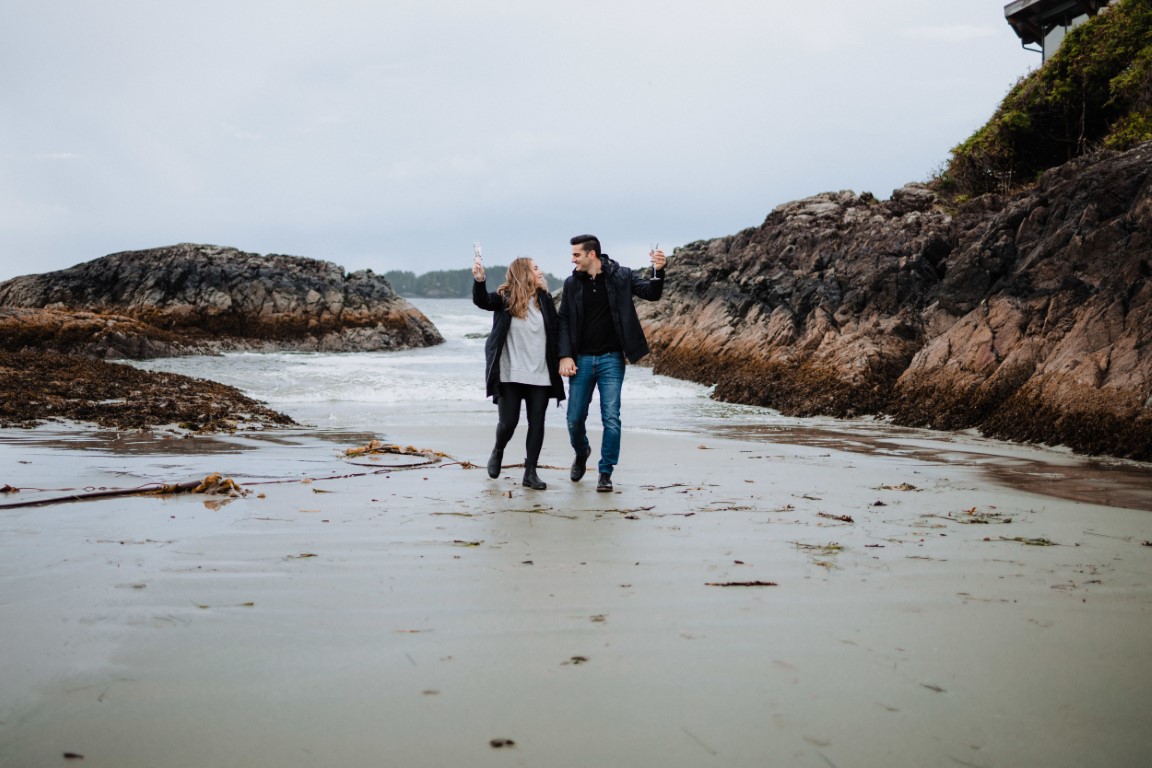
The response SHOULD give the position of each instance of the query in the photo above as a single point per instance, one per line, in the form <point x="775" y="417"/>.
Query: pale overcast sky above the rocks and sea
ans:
<point x="392" y="134"/>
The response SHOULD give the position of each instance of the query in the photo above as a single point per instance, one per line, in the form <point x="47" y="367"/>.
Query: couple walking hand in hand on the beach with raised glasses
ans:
<point x="588" y="340"/>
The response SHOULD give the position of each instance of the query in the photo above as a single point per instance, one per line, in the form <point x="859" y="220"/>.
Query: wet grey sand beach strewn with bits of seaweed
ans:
<point x="740" y="600"/>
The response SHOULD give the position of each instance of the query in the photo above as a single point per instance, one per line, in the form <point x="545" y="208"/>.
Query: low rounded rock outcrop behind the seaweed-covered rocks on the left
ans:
<point x="223" y="299"/>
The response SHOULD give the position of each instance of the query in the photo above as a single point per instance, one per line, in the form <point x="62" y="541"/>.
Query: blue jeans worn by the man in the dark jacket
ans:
<point x="605" y="374"/>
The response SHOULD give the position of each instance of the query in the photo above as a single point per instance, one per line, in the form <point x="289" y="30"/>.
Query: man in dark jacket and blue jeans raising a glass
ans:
<point x="598" y="331"/>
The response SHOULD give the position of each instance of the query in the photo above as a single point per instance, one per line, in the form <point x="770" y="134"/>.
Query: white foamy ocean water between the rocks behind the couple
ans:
<point x="442" y="385"/>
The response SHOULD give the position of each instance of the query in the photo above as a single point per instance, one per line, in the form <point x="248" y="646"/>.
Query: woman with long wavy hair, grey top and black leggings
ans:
<point x="522" y="364"/>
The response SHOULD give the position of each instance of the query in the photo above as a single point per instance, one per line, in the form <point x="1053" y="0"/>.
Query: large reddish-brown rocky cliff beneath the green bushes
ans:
<point x="1028" y="318"/>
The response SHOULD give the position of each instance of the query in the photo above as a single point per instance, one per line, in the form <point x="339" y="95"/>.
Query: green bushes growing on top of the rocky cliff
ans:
<point x="1096" y="92"/>
